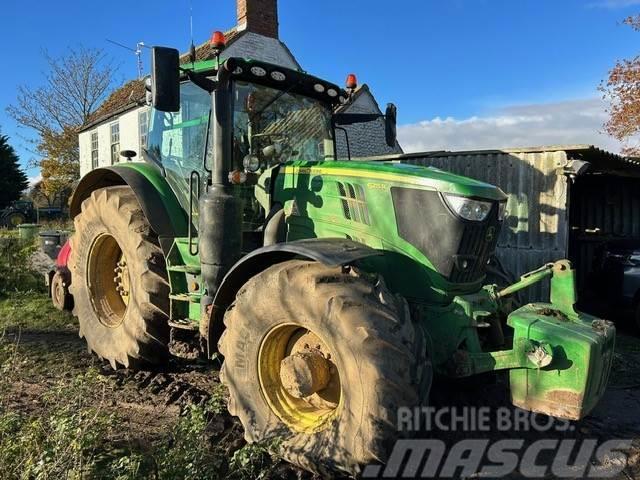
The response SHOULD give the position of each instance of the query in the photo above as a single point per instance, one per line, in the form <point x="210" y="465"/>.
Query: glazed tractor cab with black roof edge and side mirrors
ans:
<point x="235" y="122"/>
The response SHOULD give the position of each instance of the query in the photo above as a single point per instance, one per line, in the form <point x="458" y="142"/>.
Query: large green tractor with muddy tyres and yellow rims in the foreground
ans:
<point x="335" y="290"/>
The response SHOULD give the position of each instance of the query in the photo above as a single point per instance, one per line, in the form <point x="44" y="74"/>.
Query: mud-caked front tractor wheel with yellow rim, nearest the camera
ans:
<point x="319" y="360"/>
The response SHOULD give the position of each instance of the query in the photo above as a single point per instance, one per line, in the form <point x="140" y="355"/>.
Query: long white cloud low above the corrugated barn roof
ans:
<point x="567" y="122"/>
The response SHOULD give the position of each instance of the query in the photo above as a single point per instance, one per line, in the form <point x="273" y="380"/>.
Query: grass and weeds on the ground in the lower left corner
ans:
<point x="60" y="417"/>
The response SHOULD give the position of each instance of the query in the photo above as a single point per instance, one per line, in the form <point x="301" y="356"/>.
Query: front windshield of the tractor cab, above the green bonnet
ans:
<point x="274" y="126"/>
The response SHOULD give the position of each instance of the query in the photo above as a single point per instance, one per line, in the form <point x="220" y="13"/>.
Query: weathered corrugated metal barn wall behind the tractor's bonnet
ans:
<point x="535" y="229"/>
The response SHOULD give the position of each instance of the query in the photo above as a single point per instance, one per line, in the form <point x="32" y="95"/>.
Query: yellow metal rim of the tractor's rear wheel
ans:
<point x="108" y="280"/>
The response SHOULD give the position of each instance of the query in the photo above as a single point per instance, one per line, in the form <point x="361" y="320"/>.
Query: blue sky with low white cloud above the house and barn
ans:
<point x="463" y="73"/>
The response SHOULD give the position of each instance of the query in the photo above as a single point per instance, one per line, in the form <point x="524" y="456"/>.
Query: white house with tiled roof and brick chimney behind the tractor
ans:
<point x="121" y="123"/>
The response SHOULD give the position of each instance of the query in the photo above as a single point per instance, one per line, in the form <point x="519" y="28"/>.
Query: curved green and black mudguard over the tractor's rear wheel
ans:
<point x="158" y="202"/>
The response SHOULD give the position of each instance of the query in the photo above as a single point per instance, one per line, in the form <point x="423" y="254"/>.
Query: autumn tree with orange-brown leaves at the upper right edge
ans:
<point x="622" y="91"/>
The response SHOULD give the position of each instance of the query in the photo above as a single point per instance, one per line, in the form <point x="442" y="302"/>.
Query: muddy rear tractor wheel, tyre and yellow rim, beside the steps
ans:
<point x="120" y="288"/>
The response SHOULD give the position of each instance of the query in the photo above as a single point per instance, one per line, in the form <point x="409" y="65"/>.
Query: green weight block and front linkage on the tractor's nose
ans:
<point x="559" y="360"/>
